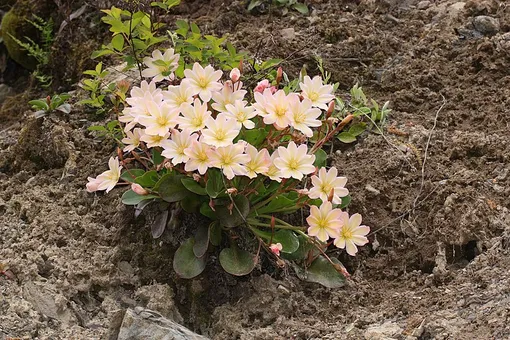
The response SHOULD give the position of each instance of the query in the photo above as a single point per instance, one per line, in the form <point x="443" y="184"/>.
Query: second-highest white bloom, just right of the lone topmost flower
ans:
<point x="203" y="81"/>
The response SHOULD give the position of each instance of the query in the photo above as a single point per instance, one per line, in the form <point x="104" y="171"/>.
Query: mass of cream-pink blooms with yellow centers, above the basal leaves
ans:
<point x="201" y="123"/>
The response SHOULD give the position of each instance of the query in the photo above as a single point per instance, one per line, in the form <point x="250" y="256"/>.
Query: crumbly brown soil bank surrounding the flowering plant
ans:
<point x="434" y="189"/>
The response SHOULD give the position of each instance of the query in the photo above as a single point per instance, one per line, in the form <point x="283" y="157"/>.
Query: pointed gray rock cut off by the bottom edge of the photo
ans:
<point x="142" y="323"/>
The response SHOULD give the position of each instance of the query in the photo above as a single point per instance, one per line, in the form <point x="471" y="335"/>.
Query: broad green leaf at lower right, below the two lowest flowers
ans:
<point x="322" y="272"/>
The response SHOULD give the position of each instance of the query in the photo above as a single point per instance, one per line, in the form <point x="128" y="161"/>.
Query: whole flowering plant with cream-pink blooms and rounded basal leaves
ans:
<point x="254" y="168"/>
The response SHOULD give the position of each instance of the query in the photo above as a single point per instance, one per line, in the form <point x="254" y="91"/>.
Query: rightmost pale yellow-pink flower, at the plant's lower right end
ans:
<point x="351" y="234"/>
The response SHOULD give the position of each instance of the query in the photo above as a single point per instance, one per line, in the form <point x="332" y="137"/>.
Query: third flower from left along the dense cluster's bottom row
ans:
<point x="230" y="159"/>
